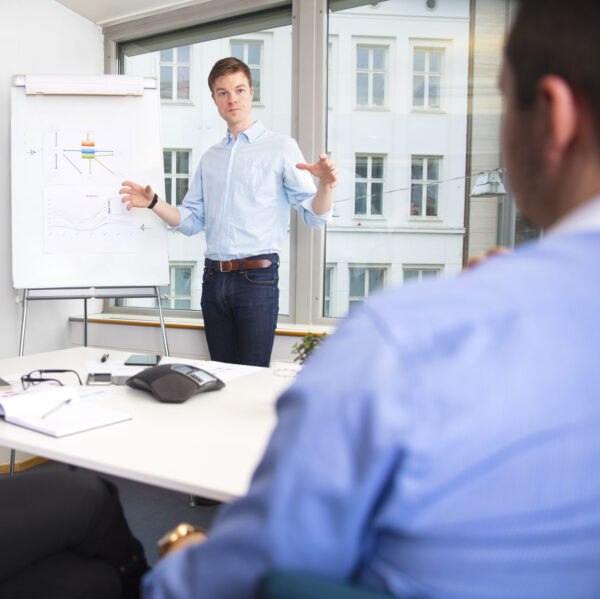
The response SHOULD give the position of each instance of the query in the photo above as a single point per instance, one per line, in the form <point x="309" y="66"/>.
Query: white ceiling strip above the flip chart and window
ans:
<point x="111" y="12"/>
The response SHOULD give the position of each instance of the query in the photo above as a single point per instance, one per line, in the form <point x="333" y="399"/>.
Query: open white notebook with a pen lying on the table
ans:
<point x="57" y="411"/>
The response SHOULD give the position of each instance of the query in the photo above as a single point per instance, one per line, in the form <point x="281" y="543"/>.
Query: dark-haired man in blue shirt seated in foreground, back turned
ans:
<point x="445" y="441"/>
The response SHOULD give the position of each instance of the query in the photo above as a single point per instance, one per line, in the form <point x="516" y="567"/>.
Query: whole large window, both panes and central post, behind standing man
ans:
<point x="413" y="117"/>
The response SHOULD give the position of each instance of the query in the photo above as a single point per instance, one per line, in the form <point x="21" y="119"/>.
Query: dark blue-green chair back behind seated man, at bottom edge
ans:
<point x="281" y="584"/>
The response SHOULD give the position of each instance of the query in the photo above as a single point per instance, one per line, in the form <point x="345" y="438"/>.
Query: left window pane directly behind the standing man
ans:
<point x="188" y="130"/>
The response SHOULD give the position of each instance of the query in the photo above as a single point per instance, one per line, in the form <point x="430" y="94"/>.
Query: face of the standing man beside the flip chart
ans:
<point x="233" y="96"/>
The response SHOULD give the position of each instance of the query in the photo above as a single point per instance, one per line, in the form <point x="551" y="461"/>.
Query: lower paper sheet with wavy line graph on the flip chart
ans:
<point x="87" y="220"/>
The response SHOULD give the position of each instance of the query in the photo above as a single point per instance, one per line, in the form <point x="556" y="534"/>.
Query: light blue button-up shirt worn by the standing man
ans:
<point x="242" y="191"/>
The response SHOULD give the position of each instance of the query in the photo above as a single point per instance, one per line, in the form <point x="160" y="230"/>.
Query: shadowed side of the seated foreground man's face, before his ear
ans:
<point x="521" y="146"/>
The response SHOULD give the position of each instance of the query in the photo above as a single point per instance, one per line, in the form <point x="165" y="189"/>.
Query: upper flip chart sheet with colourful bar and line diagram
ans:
<point x="74" y="155"/>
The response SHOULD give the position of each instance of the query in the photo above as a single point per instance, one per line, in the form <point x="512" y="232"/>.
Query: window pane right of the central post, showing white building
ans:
<point x="390" y="125"/>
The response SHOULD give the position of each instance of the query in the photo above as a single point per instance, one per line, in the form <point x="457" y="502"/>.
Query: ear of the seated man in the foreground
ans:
<point x="560" y="115"/>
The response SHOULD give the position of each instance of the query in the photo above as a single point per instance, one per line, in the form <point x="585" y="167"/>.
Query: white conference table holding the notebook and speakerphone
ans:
<point x="207" y="446"/>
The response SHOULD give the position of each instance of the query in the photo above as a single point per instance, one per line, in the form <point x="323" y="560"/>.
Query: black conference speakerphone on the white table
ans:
<point x="174" y="383"/>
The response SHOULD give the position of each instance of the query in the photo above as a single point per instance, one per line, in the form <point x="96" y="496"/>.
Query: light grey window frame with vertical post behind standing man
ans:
<point x="309" y="93"/>
